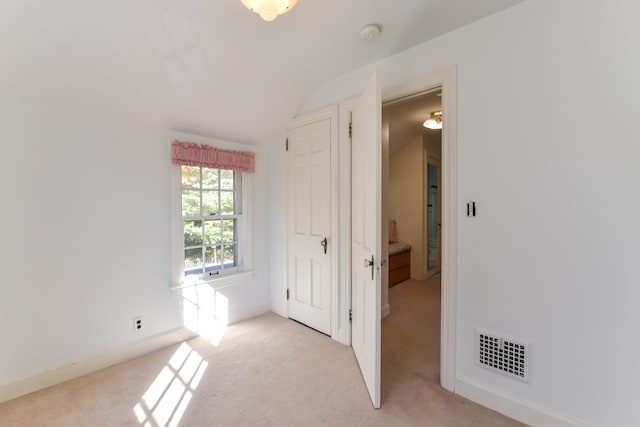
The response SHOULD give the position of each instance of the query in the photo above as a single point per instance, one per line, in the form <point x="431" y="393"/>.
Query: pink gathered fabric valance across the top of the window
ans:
<point x="192" y="154"/>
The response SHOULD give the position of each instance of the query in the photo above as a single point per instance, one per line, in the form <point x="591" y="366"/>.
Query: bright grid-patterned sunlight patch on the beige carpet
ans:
<point x="166" y="400"/>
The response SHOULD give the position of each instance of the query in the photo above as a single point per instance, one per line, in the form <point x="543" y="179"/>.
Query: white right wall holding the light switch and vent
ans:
<point x="547" y="147"/>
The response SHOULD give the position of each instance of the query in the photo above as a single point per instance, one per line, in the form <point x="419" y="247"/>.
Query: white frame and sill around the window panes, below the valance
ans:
<point x="238" y="274"/>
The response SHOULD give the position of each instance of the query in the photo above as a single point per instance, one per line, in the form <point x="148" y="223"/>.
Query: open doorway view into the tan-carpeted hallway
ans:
<point x="413" y="205"/>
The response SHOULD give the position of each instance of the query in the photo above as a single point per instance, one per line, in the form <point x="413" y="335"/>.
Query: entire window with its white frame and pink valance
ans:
<point x="212" y="189"/>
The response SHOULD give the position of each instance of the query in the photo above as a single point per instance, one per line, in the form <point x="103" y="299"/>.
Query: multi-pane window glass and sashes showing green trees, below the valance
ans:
<point x="211" y="213"/>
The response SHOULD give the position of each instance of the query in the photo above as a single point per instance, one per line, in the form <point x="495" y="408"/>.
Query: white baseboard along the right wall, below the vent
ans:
<point x="525" y="412"/>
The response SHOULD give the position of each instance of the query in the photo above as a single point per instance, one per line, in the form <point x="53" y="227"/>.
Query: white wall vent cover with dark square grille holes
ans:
<point x="503" y="355"/>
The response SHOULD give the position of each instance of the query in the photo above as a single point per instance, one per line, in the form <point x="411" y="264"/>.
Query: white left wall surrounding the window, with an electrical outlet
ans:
<point x="85" y="236"/>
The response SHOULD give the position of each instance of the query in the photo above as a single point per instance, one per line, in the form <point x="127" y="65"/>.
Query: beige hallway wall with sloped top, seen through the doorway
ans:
<point x="406" y="200"/>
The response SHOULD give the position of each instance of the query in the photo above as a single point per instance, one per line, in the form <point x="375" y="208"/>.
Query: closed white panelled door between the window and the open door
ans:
<point x="309" y="224"/>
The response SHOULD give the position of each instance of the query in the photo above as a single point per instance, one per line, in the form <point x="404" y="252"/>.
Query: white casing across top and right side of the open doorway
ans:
<point x="447" y="80"/>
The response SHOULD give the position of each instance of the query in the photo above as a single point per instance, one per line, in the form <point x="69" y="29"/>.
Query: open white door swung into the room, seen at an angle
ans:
<point x="366" y="204"/>
